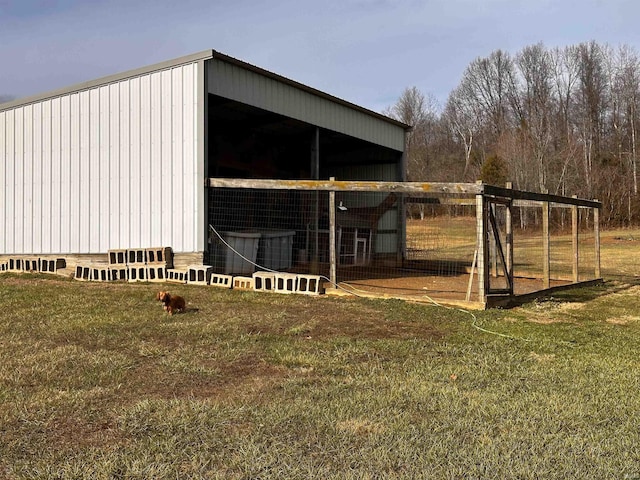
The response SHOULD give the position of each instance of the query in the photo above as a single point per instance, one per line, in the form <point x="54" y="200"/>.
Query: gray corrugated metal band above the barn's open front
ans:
<point x="231" y="81"/>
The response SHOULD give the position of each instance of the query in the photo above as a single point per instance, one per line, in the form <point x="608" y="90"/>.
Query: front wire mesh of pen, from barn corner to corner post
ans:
<point x="385" y="243"/>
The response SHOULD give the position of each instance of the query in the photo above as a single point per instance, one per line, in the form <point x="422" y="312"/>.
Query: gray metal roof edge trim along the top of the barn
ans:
<point x="203" y="55"/>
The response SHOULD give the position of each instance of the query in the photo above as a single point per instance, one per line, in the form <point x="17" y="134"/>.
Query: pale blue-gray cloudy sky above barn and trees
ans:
<point x="364" y="51"/>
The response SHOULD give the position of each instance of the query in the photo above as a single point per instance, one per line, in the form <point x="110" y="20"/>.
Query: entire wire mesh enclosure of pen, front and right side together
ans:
<point x="409" y="243"/>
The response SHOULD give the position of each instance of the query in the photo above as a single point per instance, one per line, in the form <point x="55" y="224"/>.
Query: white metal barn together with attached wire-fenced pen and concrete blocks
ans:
<point x="252" y="180"/>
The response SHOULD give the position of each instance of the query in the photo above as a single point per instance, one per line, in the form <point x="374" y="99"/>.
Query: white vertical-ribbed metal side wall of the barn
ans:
<point x="110" y="167"/>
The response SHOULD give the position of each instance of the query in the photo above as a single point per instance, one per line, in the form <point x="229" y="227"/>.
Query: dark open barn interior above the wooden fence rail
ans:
<point x="248" y="142"/>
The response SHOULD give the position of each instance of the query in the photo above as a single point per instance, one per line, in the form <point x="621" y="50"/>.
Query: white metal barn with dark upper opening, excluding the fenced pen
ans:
<point x="121" y="162"/>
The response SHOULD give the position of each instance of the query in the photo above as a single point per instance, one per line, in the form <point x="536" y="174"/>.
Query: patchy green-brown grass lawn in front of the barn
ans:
<point x="96" y="381"/>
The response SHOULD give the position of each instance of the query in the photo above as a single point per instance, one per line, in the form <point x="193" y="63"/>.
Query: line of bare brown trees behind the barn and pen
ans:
<point x="562" y="120"/>
